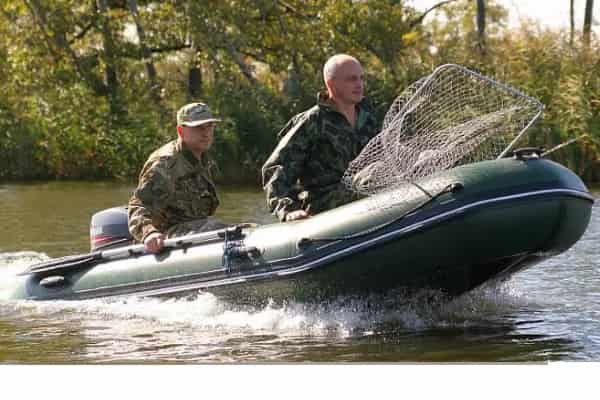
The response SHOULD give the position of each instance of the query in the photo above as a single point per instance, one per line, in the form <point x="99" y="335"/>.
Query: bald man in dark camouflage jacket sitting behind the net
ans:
<point x="302" y="177"/>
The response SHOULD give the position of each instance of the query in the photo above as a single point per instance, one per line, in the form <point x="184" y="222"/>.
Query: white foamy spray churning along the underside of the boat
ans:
<point x="341" y="317"/>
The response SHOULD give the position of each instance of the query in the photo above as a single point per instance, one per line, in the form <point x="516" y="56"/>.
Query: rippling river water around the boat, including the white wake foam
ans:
<point x="549" y="312"/>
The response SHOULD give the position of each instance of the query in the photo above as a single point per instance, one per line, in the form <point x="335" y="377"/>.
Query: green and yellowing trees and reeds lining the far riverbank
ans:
<point x="89" y="89"/>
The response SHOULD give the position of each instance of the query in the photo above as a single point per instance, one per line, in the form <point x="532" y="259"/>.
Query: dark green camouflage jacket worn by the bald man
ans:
<point x="316" y="146"/>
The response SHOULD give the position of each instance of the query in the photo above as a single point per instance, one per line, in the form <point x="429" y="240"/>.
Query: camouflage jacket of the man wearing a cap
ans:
<point x="174" y="188"/>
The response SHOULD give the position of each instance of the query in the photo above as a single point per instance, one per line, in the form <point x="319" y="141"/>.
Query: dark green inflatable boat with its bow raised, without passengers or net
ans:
<point x="451" y="231"/>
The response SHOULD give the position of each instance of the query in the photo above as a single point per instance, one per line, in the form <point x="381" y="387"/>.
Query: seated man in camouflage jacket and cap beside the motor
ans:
<point x="176" y="194"/>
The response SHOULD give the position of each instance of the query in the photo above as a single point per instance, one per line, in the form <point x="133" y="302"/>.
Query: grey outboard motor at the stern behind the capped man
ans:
<point x="108" y="229"/>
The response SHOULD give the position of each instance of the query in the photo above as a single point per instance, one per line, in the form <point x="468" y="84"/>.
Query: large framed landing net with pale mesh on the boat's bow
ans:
<point x="452" y="117"/>
